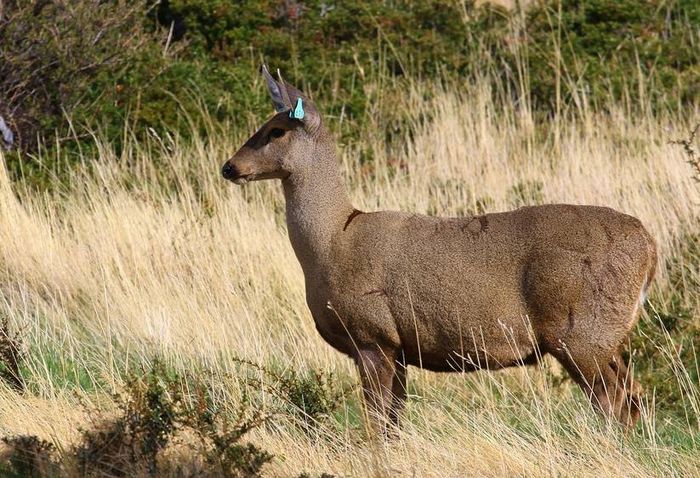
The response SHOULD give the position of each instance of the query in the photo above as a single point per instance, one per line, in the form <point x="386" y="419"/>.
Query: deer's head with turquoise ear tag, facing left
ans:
<point x="283" y="144"/>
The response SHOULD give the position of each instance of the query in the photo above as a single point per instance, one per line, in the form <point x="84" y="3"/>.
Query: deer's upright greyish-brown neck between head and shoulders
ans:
<point x="317" y="208"/>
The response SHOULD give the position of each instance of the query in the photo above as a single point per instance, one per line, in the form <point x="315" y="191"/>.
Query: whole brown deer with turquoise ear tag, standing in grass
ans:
<point x="391" y="289"/>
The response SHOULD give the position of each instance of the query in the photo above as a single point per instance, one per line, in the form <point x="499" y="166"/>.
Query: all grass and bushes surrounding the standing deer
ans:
<point x="152" y="315"/>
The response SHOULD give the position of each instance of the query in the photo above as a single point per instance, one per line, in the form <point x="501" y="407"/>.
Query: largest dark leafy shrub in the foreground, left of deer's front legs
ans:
<point x="152" y="411"/>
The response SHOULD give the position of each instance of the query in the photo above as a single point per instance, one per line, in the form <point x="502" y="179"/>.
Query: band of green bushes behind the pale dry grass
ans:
<point x="111" y="65"/>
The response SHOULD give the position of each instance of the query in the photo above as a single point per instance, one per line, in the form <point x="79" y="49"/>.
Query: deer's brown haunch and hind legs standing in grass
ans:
<point x="583" y="319"/>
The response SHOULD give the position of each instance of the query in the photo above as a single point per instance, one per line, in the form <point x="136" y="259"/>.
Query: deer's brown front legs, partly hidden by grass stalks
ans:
<point x="377" y="372"/>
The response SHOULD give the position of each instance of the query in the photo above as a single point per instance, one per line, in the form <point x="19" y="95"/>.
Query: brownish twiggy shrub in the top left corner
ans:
<point x="52" y="56"/>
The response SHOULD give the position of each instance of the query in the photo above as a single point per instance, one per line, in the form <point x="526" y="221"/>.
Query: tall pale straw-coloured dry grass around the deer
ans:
<point x="118" y="269"/>
